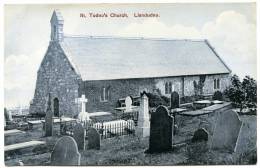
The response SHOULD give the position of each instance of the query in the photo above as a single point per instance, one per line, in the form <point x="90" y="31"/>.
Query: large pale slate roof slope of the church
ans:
<point x="100" y="58"/>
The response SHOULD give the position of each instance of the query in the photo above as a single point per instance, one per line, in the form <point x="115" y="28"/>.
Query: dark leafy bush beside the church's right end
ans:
<point x="242" y="94"/>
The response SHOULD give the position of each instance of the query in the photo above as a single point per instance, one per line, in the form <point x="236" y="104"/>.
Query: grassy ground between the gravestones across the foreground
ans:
<point x="130" y="150"/>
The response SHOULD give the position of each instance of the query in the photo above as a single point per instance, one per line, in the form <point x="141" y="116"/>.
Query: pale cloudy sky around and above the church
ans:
<point x="229" y="27"/>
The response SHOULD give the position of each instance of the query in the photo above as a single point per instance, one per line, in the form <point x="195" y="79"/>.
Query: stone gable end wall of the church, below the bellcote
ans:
<point x="56" y="76"/>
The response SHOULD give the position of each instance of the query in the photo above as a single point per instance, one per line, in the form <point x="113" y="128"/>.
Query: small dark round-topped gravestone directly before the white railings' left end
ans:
<point x="93" y="139"/>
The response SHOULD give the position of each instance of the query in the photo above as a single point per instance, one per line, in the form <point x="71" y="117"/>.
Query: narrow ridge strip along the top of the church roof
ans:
<point x="133" y="38"/>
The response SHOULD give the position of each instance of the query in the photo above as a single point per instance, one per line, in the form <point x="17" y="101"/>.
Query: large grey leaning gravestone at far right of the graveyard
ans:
<point x="226" y="132"/>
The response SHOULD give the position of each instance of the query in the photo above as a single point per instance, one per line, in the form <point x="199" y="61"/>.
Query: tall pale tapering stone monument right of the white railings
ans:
<point x="143" y="124"/>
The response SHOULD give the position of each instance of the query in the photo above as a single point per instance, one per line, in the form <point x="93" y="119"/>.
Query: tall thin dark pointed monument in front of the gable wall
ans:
<point x="49" y="119"/>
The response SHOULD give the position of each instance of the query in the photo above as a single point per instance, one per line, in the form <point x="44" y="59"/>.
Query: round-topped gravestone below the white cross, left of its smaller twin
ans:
<point x="79" y="135"/>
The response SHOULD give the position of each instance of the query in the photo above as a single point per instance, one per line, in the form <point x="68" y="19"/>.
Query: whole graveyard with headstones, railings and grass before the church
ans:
<point x="210" y="133"/>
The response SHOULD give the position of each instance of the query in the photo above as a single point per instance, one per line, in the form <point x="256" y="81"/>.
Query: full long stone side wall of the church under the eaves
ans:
<point x="121" y="88"/>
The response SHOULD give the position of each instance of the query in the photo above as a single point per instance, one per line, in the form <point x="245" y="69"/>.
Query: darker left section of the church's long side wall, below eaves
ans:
<point x="119" y="88"/>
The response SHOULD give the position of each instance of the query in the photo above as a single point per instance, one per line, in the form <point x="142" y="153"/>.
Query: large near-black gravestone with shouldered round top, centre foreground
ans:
<point x="161" y="127"/>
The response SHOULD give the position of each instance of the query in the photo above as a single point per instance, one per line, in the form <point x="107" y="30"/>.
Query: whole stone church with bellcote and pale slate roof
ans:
<point x="107" y="69"/>
